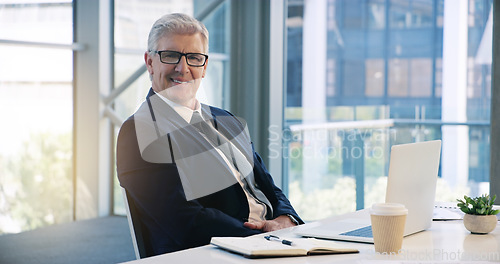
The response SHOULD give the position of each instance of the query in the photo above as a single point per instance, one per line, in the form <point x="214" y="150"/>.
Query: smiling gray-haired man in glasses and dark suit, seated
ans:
<point x="190" y="168"/>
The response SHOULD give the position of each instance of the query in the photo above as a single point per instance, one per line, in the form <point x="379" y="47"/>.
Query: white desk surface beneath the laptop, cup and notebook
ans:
<point x="445" y="241"/>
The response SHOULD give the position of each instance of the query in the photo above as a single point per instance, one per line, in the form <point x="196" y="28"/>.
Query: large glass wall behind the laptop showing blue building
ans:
<point x="363" y="75"/>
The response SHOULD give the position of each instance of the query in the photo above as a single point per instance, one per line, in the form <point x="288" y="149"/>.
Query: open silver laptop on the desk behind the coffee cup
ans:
<point x="413" y="170"/>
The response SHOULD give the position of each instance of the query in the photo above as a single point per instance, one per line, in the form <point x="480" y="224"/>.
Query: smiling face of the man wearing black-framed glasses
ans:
<point x="177" y="82"/>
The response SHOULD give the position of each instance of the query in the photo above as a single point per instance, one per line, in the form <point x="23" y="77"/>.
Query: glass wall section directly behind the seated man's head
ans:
<point x="133" y="20"/>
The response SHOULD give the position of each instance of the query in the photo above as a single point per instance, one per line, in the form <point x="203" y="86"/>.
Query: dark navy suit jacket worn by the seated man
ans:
<point x="174" y="222"/>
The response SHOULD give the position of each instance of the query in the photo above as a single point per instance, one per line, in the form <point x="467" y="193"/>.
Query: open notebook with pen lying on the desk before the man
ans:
<point x="259" y="247"/>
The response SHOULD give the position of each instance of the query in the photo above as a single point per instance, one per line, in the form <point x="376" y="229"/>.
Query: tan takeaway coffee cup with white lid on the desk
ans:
<point x="388" y="224"/>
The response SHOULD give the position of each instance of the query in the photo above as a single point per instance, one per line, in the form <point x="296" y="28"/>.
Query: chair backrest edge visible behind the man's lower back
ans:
<point x="142" y="248"/>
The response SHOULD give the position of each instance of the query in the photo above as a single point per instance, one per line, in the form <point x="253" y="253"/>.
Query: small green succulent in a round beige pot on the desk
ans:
<point x="480" y="217"/>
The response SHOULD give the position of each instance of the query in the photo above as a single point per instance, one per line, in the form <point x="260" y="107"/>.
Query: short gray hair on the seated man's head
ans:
<point x="176" y="23"/>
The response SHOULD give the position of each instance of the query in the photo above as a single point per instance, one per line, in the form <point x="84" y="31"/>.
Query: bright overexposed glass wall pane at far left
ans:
<point x="36" y="184"/>
